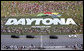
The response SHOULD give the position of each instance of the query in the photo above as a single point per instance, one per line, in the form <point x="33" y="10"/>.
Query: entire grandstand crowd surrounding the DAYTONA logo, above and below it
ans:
<point x="68" y="8"/>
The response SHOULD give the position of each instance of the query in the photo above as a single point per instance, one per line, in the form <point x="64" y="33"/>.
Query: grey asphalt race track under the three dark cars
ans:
<point x="63" y="40"/>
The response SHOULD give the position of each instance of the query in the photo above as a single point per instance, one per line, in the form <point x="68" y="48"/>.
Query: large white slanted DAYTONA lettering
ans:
<point x="46" y="21"/>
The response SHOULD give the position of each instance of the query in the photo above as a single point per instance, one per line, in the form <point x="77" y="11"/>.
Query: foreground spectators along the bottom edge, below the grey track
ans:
<point x="15" y="47"/>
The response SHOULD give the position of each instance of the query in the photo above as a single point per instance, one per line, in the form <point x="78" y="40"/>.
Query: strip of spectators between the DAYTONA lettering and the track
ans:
<point x="22" y="30"/>
